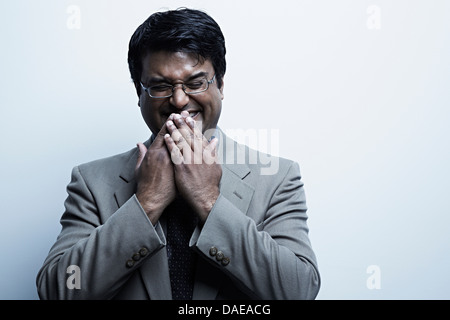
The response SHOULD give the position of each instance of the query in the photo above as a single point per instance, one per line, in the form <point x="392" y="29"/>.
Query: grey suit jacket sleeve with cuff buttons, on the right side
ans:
<point x="273" y="260"/>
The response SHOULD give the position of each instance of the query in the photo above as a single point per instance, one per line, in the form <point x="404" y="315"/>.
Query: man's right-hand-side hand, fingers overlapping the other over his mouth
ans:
<point x="197" y="173"/>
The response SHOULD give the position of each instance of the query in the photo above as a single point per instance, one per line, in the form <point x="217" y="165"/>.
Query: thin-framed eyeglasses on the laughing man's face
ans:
<point x="165" y="90"/>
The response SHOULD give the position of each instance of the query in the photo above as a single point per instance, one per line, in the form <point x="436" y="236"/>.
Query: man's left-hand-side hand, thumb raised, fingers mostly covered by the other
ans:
<point x="155" y="177"/>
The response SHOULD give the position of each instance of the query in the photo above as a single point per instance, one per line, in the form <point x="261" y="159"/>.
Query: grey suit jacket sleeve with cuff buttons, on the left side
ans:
<point x="101" y="253"/>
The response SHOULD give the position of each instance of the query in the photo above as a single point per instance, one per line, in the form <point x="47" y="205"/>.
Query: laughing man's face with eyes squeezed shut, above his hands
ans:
<point x="173" y="68"/>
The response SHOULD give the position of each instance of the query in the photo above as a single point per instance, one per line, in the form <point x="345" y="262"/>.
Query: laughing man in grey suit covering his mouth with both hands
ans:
<point x="174" y="218"/>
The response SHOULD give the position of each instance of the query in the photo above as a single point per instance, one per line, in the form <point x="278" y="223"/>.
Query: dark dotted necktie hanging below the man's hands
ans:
<point x="181" y="223"/>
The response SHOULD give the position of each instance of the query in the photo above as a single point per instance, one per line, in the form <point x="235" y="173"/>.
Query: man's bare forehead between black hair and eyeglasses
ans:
<point x="173" y="66"/>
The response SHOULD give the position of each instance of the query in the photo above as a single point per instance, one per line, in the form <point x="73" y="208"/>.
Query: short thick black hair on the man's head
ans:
<point x="181" y="30"/>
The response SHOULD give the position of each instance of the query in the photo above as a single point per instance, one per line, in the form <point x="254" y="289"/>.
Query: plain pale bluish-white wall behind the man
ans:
<point x="363" y="106"/>
